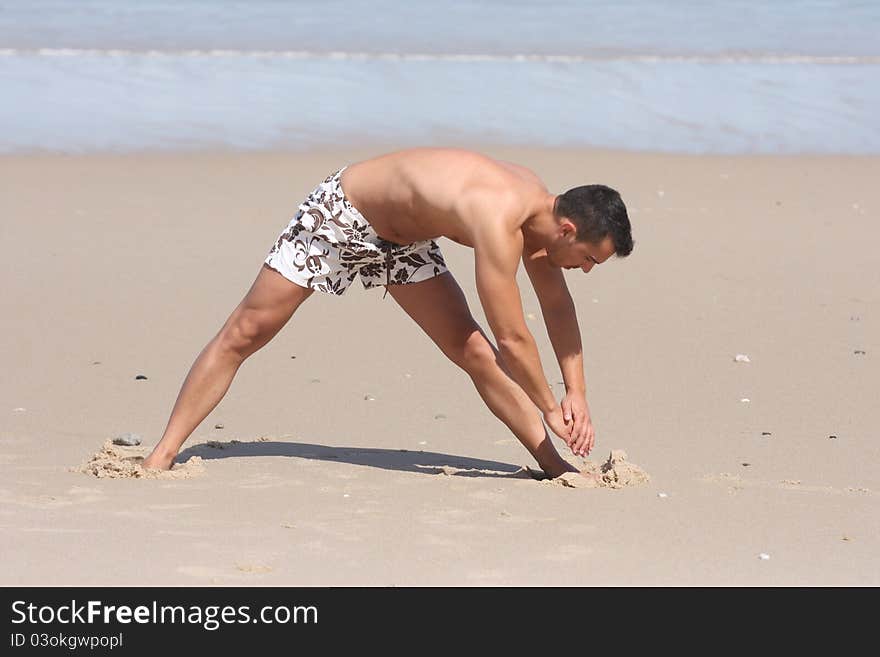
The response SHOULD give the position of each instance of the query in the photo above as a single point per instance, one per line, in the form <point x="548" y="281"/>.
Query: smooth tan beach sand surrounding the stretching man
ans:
<point x="352" y="453"/>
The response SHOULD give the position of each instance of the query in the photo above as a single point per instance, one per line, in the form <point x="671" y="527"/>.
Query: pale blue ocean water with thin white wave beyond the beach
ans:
<point x="692" y="77"/>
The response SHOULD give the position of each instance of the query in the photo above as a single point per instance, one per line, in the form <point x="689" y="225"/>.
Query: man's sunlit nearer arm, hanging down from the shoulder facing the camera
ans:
<point x="497" y="249"/>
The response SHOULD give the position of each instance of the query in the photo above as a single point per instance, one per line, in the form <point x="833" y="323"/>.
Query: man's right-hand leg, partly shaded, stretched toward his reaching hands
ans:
<point x="438" y="305"/>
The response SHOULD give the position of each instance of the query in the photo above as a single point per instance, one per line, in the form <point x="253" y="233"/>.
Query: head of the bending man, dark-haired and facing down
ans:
<point x="592" y="225"/>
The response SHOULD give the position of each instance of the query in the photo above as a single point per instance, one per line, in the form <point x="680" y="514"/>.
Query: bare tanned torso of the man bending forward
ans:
<point x="425" y="193"/>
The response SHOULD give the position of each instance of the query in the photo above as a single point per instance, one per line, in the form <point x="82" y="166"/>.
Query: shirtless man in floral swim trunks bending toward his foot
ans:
<point x="382" y="227"/>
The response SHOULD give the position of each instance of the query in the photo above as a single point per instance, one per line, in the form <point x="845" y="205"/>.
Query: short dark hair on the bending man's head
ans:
<point x="597" y="211"/>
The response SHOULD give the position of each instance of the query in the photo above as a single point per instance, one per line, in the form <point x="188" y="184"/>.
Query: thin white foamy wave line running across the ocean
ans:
<point x="641" y="58"/>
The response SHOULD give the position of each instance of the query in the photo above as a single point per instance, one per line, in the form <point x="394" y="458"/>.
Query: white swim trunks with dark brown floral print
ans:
<point x="328" y="243"/>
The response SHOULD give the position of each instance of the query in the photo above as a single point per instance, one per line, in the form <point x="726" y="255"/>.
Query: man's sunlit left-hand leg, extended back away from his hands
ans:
<point x="268" y="305"/>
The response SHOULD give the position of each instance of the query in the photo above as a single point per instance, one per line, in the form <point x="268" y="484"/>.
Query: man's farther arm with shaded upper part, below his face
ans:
<point x="560" y="318"/>
